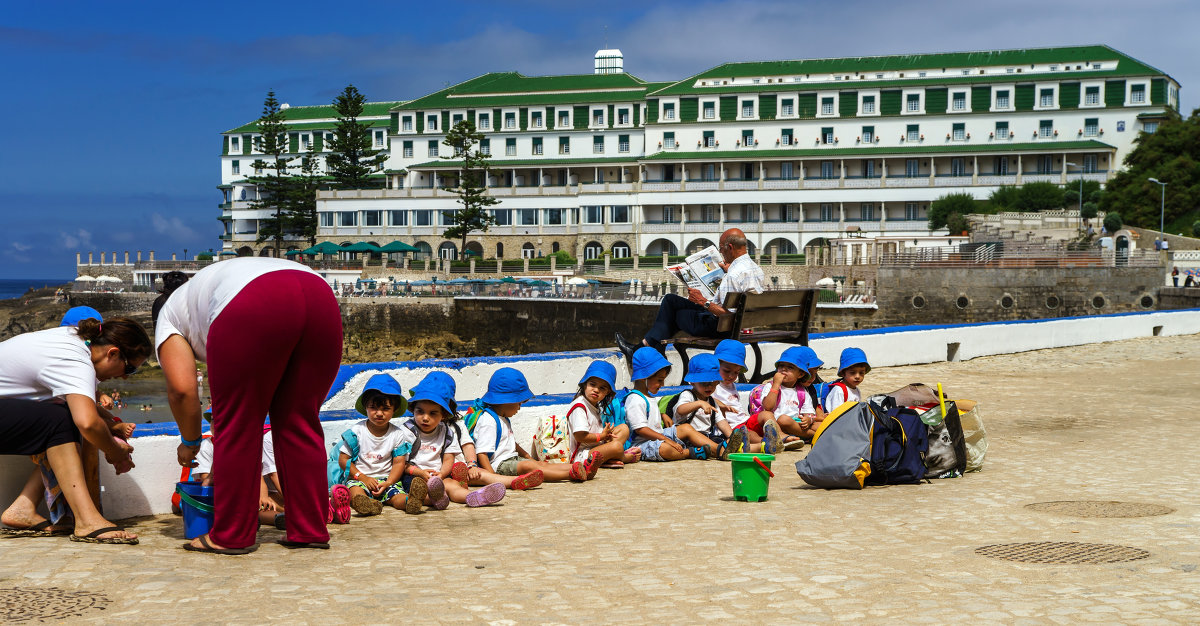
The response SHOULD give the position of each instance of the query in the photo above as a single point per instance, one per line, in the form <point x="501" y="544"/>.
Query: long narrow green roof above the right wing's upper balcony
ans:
<point x="751" y="155"/>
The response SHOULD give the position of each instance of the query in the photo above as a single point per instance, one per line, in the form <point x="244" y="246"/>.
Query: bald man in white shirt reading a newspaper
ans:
<point x="697" y="315"/>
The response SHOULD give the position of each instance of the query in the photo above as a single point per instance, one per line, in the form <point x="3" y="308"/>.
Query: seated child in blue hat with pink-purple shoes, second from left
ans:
<point x="436" y="447"/>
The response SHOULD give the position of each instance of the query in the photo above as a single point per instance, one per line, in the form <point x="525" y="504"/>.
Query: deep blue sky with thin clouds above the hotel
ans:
<point x="115" y="110"/>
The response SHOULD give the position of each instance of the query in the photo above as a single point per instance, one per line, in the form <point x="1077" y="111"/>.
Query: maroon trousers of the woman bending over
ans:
<point x="275" y="348"/>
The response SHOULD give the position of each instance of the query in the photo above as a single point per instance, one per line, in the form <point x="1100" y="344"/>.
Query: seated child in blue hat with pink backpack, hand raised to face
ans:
<point x="784" y="396"/>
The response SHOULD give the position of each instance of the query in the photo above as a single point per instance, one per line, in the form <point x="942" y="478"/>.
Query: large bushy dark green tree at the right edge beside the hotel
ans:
<point x="1172" y="154"/>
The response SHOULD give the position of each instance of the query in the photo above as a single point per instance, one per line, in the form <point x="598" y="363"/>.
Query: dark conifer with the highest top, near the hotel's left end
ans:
<point x="352" y="160"/>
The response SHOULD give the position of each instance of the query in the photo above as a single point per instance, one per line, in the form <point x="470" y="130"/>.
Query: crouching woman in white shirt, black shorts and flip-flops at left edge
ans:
<point x="49" y="401"/>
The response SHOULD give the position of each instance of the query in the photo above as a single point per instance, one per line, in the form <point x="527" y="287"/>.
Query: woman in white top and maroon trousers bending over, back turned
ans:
<point x="272" y="334"/>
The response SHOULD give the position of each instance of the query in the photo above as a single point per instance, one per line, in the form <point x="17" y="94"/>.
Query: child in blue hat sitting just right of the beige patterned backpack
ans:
<point x="595" y="443"/>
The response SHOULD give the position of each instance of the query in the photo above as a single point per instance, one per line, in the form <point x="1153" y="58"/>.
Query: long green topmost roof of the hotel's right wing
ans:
<point x="863" y="65"/>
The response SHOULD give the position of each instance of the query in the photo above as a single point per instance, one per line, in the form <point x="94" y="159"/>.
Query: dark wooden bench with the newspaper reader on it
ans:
<point x="754" y="312"/>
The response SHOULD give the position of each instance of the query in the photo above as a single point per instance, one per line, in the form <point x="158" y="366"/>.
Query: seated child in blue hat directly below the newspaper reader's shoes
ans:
<point x="656" y="441"/>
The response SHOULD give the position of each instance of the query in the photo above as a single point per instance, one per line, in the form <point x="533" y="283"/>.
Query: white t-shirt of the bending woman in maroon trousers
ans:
<point x="193" y="309"/>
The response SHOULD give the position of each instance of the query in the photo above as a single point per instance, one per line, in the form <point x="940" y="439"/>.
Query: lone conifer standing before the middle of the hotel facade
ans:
<point x="464" y="141"/>
